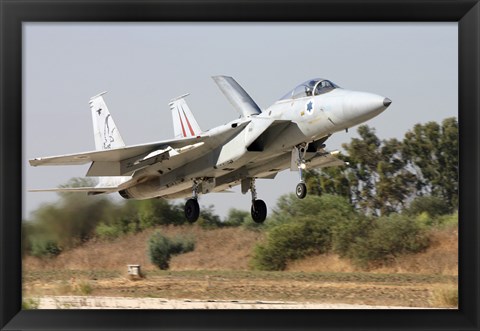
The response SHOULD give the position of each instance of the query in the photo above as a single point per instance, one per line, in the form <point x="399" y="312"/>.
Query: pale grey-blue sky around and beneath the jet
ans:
<point x="144" y="66"/>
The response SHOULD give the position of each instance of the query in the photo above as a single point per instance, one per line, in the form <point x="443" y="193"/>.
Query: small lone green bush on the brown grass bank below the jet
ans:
<point x="162" y="248"/>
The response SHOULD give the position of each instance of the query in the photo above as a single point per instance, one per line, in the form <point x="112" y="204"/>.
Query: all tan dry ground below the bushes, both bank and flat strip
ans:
<point x="218" y="270"/>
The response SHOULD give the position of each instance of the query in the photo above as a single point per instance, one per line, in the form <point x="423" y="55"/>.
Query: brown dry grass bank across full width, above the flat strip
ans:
<point x="231" y="249"/>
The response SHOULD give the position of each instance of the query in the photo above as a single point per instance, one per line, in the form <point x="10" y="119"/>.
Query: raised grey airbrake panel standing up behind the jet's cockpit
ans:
<point x="237" y="96"/>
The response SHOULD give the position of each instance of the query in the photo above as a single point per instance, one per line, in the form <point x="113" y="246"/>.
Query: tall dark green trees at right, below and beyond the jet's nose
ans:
<point x="385" y="176"/>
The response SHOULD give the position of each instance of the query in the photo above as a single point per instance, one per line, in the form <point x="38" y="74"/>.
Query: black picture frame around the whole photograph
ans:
<point x="14" y="12"/>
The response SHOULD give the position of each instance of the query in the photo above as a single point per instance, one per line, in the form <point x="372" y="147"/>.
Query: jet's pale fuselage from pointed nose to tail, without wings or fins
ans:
<point x="315" y="117"/>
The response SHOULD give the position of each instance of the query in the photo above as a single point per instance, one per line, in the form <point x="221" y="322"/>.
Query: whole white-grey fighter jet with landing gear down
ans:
<point x="290" y="134"/>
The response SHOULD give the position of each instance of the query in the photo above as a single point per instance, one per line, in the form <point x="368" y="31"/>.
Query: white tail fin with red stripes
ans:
<point x="184" y="123"/>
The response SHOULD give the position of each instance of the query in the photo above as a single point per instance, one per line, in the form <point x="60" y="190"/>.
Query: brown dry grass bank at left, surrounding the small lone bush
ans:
<point x="217" y="249"/>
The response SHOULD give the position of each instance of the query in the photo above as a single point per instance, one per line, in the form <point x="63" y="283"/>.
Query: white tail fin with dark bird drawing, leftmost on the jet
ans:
<point x="105" y="131"/>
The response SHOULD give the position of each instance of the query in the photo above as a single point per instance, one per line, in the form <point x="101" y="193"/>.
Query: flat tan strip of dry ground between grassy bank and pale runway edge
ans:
<point x="408" y="290"/>
